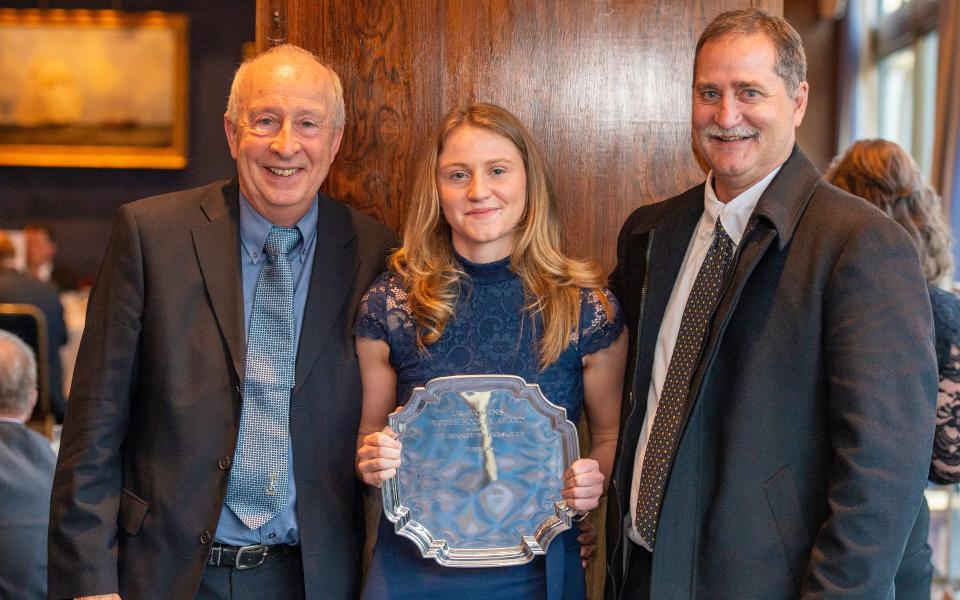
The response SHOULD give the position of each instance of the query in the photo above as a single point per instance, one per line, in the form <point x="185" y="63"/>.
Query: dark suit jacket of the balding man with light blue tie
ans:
<point x="155" y="405"/>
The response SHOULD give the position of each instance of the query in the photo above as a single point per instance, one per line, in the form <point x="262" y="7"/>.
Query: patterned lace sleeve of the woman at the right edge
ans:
<point x="945" y="465"/>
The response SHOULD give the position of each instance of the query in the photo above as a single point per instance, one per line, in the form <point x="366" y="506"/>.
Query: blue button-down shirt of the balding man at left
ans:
<point x="283" y="528"/>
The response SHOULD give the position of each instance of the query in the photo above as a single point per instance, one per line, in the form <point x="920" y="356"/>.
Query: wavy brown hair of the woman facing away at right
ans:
<point x="883" y="174"/>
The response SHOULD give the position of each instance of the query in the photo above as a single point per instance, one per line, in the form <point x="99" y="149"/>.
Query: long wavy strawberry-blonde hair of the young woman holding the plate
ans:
<point x="426" y="261"/>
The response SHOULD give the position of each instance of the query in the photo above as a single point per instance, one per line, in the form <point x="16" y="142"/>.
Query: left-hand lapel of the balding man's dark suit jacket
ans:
<point x="217" y="246"/>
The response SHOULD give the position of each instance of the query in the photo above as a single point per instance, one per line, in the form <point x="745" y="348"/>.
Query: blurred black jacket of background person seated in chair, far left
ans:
<point x="24" y="289"/>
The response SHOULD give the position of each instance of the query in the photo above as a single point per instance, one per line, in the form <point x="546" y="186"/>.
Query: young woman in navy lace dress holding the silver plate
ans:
<point x="481" y="286"/>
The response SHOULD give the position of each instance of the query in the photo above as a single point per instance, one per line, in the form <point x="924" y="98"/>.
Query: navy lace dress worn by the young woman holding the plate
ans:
<point x="487" y="334"/>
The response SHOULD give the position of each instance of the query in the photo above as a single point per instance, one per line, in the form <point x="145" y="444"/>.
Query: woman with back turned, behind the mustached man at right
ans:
<point x="883" y="173"/>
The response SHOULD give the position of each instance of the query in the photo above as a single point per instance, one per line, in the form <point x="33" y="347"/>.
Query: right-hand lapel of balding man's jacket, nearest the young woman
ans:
<point x="331" y="279"/>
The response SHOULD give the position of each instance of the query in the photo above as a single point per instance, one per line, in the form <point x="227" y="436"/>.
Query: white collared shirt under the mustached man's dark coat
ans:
<point x="734" y="216"/>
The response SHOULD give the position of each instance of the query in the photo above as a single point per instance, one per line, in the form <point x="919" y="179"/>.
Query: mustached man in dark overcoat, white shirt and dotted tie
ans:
<point x="778" y="426"/>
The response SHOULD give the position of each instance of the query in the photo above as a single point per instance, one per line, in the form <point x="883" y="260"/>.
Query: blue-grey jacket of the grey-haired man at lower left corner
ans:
<point x="26" y="474"/>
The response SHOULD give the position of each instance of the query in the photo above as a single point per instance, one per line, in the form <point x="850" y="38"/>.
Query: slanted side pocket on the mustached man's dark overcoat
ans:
<point x="794" y="534"/>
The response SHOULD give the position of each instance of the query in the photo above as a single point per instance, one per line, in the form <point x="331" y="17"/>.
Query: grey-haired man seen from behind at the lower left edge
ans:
<point x="26" y="474"/>
